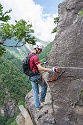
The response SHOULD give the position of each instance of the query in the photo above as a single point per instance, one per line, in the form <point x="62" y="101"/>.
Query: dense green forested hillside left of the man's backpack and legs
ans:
<point x="12" y="79"/>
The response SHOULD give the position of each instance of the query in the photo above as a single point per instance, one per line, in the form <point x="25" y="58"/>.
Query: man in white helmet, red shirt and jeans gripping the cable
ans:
<point x="37" y="78"/>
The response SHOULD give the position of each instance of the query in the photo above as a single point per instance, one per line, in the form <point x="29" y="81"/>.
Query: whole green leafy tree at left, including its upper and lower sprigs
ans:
<point x="21" y="31"/>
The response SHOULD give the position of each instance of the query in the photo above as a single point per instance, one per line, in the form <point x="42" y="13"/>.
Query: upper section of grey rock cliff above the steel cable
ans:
<point x="68" y="44"/>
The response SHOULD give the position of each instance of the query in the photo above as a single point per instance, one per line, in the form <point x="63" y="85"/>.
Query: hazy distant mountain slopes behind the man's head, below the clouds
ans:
<point x="21" y="52"/>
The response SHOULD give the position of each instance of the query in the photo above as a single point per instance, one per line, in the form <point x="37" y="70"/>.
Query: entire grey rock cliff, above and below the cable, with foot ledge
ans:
<point x="67" y="51"/>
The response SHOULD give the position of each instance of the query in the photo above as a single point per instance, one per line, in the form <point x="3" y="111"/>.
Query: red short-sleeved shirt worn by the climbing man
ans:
<point x="34" y="61"/>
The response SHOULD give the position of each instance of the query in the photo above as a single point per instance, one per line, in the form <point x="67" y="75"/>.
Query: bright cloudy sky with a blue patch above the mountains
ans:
<point x="40" y="13"/>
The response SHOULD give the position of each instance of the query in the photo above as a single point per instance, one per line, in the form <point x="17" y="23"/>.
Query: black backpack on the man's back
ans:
<point x="26" y="65"/>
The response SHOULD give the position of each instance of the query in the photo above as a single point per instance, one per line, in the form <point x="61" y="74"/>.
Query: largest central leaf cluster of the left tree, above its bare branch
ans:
<point x="21" y="31"/>
